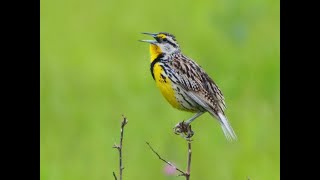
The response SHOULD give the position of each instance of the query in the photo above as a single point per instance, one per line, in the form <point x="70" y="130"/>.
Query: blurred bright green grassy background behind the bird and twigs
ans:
<point x="93" y="70"/>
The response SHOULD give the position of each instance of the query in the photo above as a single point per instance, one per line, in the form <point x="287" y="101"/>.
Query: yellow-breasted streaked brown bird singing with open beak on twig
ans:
<point x="184" y="83"/>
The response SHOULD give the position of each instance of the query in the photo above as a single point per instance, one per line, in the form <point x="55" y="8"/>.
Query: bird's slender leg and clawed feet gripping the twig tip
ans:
<point x="185" y="127"/>
